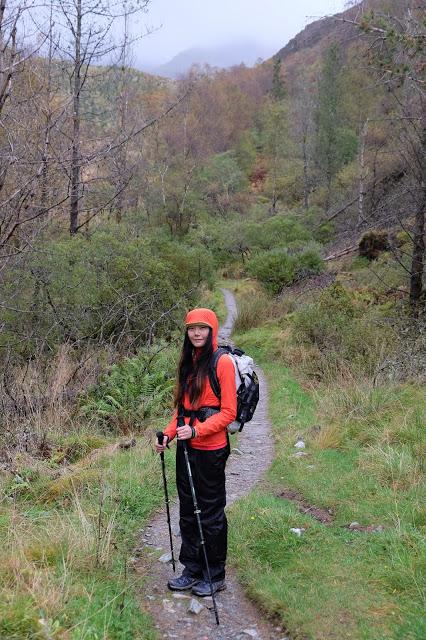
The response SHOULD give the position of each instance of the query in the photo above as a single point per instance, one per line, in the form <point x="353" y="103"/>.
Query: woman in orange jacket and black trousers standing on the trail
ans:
<point x="204" y="420"/>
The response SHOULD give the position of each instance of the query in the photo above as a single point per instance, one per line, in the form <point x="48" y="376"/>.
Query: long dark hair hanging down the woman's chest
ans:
<point x="192" y="370"/>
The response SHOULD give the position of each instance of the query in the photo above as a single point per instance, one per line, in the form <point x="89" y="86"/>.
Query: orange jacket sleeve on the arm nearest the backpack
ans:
<point x="228" y="400"/>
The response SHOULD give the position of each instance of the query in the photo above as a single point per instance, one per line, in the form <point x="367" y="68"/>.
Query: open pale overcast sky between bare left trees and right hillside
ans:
<point x="207" y="23"/>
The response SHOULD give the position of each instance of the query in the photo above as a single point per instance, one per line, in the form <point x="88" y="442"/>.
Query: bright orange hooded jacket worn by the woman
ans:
<point x="211" y="434"/>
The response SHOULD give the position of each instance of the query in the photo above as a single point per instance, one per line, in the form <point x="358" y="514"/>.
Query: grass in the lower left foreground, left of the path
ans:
<point x="65" y="548"/>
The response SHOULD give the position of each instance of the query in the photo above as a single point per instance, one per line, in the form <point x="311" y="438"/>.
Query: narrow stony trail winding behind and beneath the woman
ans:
<point x="239" y="618"/>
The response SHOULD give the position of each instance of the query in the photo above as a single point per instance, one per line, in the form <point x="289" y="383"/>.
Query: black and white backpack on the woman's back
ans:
<point x="247" y="384"/>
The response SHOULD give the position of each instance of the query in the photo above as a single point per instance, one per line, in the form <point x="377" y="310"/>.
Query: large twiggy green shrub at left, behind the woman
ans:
<point x="109" y="289"/>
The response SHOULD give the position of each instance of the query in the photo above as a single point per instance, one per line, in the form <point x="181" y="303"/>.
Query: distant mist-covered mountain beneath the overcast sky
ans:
<point x="225" y="56"/>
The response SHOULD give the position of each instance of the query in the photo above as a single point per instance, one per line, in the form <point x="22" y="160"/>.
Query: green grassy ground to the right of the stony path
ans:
<point x="365" y="461"/>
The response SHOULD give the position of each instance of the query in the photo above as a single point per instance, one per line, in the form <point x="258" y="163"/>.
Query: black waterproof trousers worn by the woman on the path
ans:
<point x="208" y="472"/>
